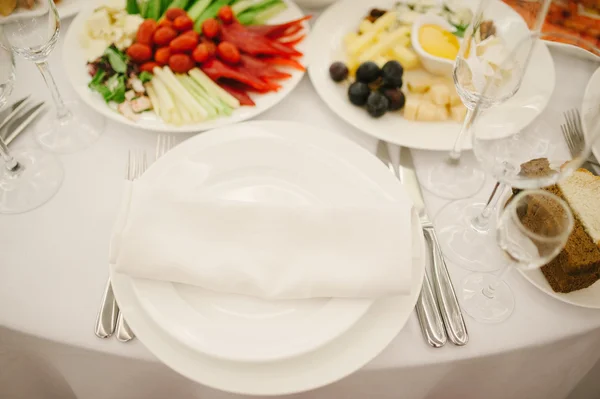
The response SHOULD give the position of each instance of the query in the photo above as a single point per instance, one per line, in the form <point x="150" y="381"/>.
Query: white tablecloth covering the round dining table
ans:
<point x="53" y="268"/>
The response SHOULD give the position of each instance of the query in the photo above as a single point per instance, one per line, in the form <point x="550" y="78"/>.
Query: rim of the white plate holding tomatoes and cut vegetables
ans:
<point x="71" y="48"/>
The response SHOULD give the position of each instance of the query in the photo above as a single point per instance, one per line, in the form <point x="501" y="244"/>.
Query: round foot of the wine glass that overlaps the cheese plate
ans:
<point x="451" y="181"/>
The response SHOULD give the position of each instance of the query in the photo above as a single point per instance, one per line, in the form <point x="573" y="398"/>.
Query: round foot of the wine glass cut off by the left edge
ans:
<point x="34" y="183"/>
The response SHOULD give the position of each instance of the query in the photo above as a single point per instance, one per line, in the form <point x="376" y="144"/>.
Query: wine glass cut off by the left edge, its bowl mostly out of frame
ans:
<point x="28" y="177"/>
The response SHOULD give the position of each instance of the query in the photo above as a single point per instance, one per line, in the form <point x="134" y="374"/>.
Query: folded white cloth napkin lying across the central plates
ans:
<point x="264" y="250"/>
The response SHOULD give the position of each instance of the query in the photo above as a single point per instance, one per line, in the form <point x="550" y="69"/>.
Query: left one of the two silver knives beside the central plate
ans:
<point x="428" y="313"/>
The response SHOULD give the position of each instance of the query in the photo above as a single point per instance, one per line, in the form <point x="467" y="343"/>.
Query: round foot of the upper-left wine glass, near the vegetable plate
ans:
<point x="70" y="134"/>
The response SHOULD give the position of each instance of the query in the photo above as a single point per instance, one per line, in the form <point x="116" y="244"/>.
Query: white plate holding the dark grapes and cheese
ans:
<point x="326" y="47"/>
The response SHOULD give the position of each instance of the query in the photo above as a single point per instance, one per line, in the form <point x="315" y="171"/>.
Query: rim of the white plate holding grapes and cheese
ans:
<point x="316" y="79"/>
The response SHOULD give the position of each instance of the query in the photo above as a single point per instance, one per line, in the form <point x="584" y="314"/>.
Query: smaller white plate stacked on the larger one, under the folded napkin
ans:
<point x="272" y="162"/>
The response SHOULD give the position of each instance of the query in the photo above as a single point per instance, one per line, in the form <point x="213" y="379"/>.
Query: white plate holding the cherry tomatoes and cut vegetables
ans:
<point x="74" y="62"/>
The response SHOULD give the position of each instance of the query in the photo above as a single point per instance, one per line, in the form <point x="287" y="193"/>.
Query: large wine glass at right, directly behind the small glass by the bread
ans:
<point x="529" y="127"/>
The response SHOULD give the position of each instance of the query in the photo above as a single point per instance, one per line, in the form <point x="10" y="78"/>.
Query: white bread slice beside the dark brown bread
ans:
<point x="582" y="192"/>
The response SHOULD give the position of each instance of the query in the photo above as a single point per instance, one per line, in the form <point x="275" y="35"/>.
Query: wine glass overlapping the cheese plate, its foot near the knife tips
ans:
<point x="482" y="48"/>
